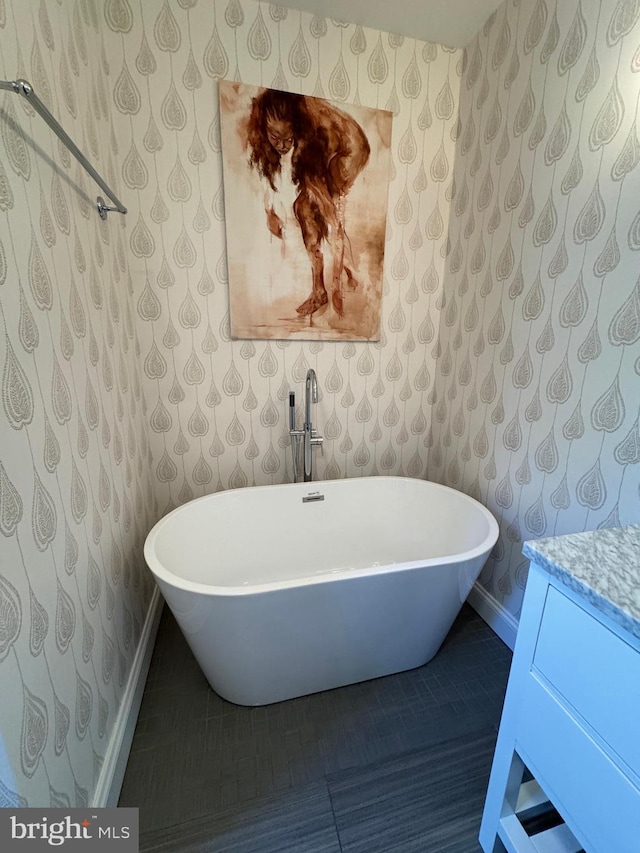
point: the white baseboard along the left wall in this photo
(115, 761)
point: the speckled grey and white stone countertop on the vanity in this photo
(601, 565)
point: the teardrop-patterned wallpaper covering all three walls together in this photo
(508, 364)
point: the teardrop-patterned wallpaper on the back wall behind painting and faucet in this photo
(217, 407)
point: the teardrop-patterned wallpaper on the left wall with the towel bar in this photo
(75, 483)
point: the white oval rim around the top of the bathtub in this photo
(326, 576)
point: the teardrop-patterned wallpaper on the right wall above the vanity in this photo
(538, 384)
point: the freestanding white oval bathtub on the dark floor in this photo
(286, 590)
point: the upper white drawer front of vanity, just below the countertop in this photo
(594, 671)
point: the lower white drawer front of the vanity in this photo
(600, 804)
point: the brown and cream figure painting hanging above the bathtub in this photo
(305, 184)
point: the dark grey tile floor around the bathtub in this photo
(320, 773)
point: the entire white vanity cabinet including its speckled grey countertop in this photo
(570, 730)
